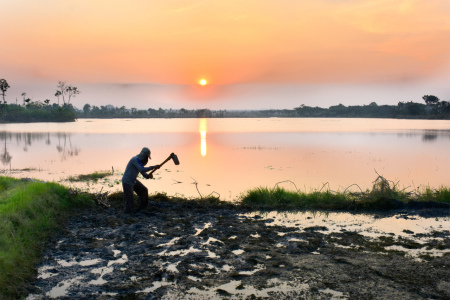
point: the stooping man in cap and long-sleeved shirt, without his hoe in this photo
(131, 184)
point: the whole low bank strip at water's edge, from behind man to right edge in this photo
(384, 195)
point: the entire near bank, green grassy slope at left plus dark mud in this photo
(208, 248)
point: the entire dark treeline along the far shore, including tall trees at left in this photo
(37, 111)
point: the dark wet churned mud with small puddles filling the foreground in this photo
(180, 251)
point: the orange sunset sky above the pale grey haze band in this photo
(174, 42)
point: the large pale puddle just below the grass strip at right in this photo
(400, 227)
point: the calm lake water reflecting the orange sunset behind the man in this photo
(229, 156)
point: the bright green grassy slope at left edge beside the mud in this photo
(29, 213)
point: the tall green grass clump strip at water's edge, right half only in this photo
(384, 195)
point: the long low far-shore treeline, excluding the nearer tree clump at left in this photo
(432, 109)
